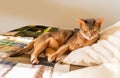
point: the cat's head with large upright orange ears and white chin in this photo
(90, 28)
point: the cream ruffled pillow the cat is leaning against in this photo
(107, 49)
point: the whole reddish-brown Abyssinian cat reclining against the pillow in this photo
(55, 44)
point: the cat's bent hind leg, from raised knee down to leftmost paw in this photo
(47, 44)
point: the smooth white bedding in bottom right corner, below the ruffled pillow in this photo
(103, 71)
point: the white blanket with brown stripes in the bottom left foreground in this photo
(20, 70)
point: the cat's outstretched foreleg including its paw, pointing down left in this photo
(58, 53)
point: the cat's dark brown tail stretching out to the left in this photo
(24, 50)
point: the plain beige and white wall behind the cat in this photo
(62, 13)
